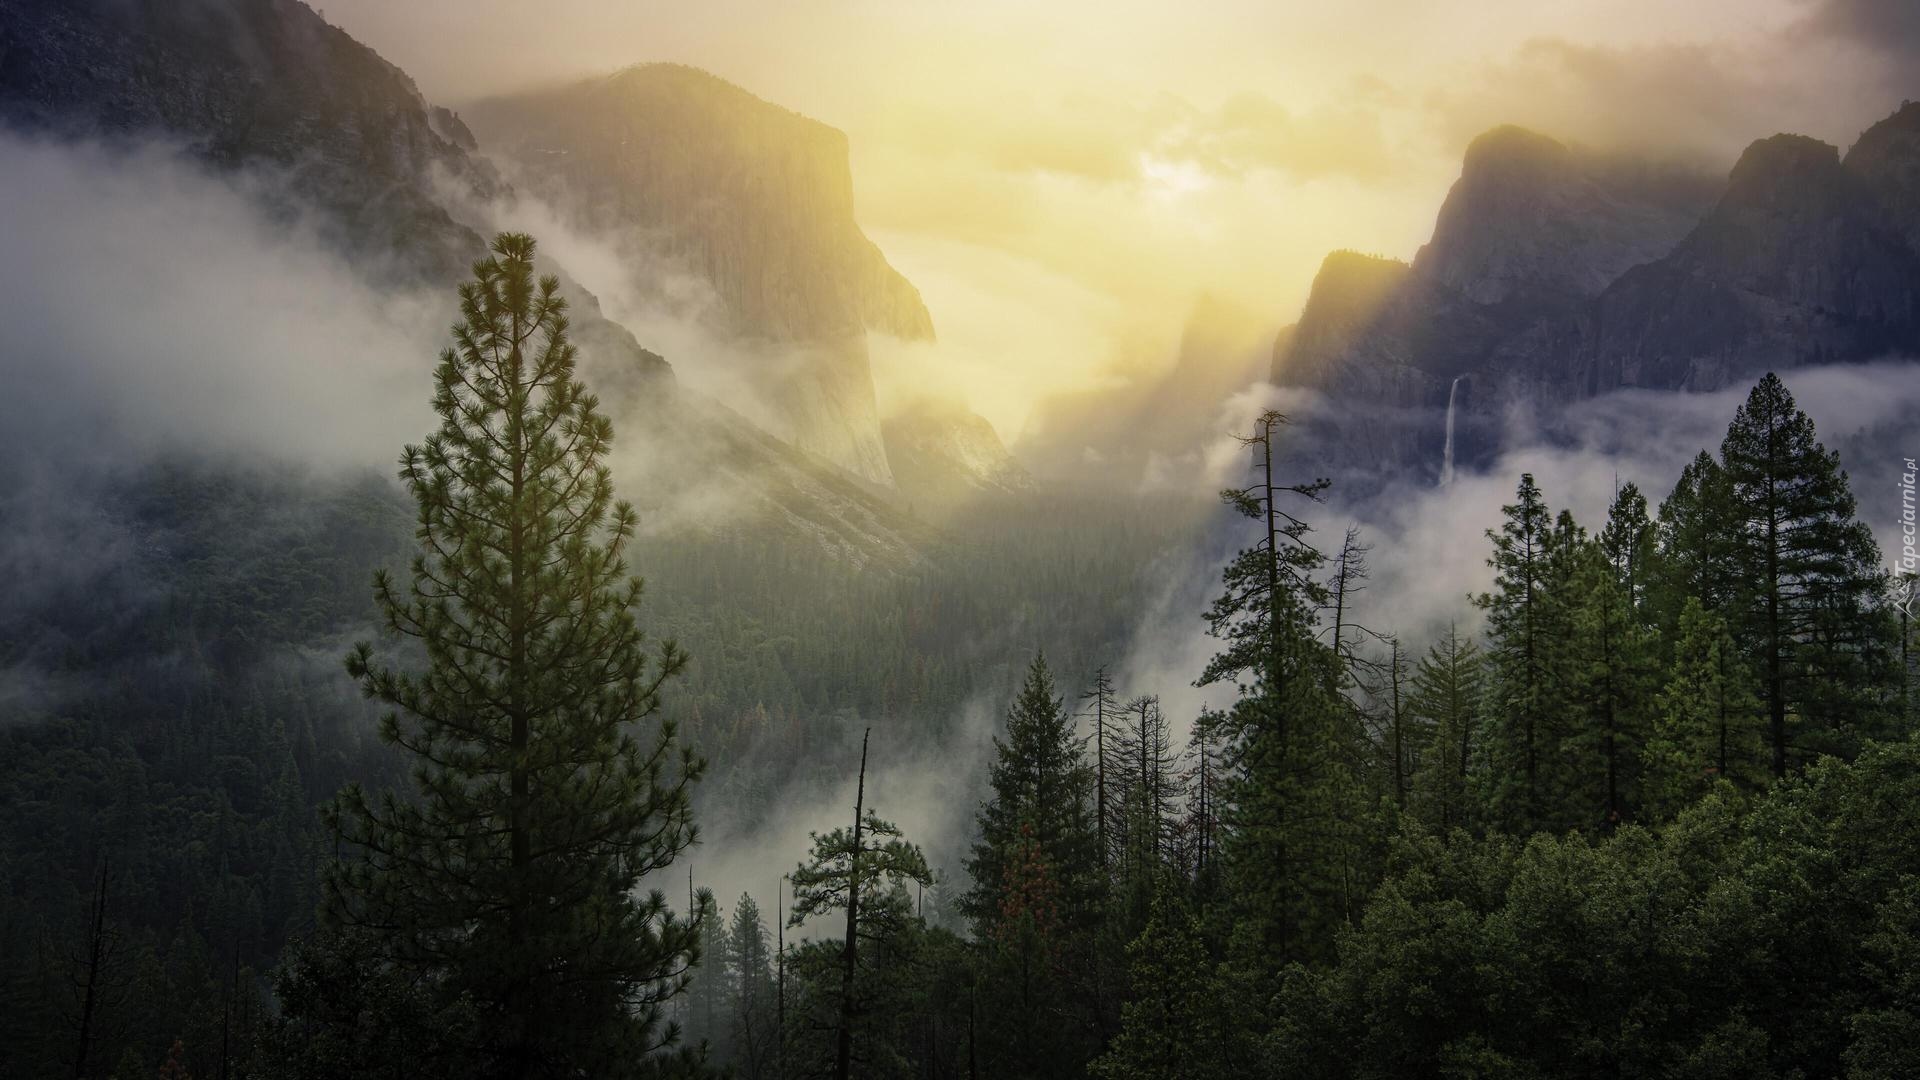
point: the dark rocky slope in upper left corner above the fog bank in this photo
(254, 84)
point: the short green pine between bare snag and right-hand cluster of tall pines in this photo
(1447, 695)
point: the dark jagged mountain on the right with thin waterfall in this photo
(1558, 274)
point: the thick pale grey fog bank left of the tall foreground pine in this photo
(155, 307)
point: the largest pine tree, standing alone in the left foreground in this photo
(546, 789)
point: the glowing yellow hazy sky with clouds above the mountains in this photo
(1078, 172)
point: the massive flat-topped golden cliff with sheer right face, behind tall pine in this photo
(696, 178)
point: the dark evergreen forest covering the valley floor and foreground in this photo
(1644, 812)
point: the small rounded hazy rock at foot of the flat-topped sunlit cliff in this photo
(946, 456)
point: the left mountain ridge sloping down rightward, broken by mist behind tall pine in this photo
(345, 143)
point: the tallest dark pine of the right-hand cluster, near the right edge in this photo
(1808, 599)
